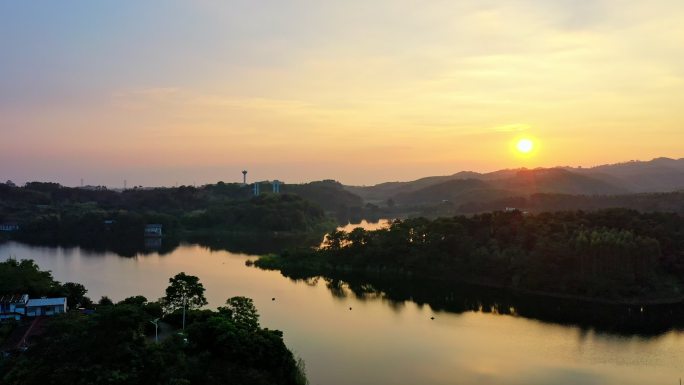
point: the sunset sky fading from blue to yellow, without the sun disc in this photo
(165, 92)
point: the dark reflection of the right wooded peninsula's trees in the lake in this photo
(458, 298)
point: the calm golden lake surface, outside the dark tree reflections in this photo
(381, 341)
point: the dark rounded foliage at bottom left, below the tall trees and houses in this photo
(110, 347)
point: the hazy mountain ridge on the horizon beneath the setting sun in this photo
(657, 175)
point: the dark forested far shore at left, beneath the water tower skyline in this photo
(51, 213)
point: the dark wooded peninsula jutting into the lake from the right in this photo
(608, 254)
